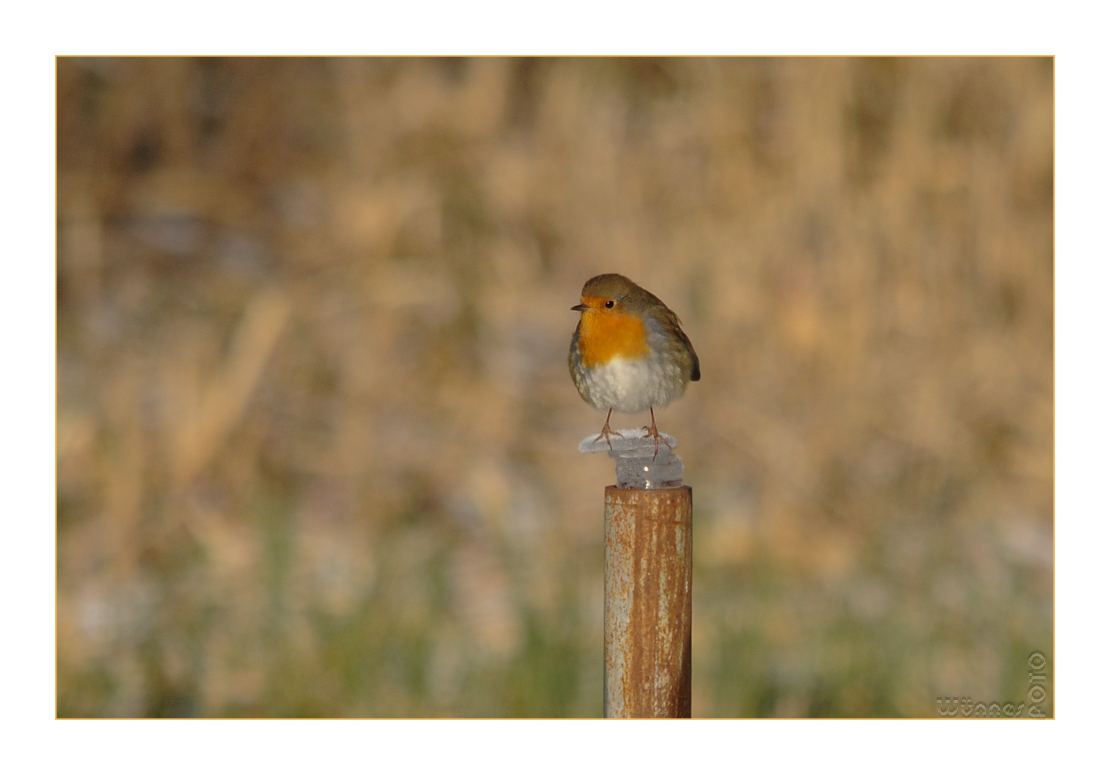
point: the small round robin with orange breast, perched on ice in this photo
(629, 353)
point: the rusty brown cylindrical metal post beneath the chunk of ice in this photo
(649, 573)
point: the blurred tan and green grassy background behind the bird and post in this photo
(317, 438)
